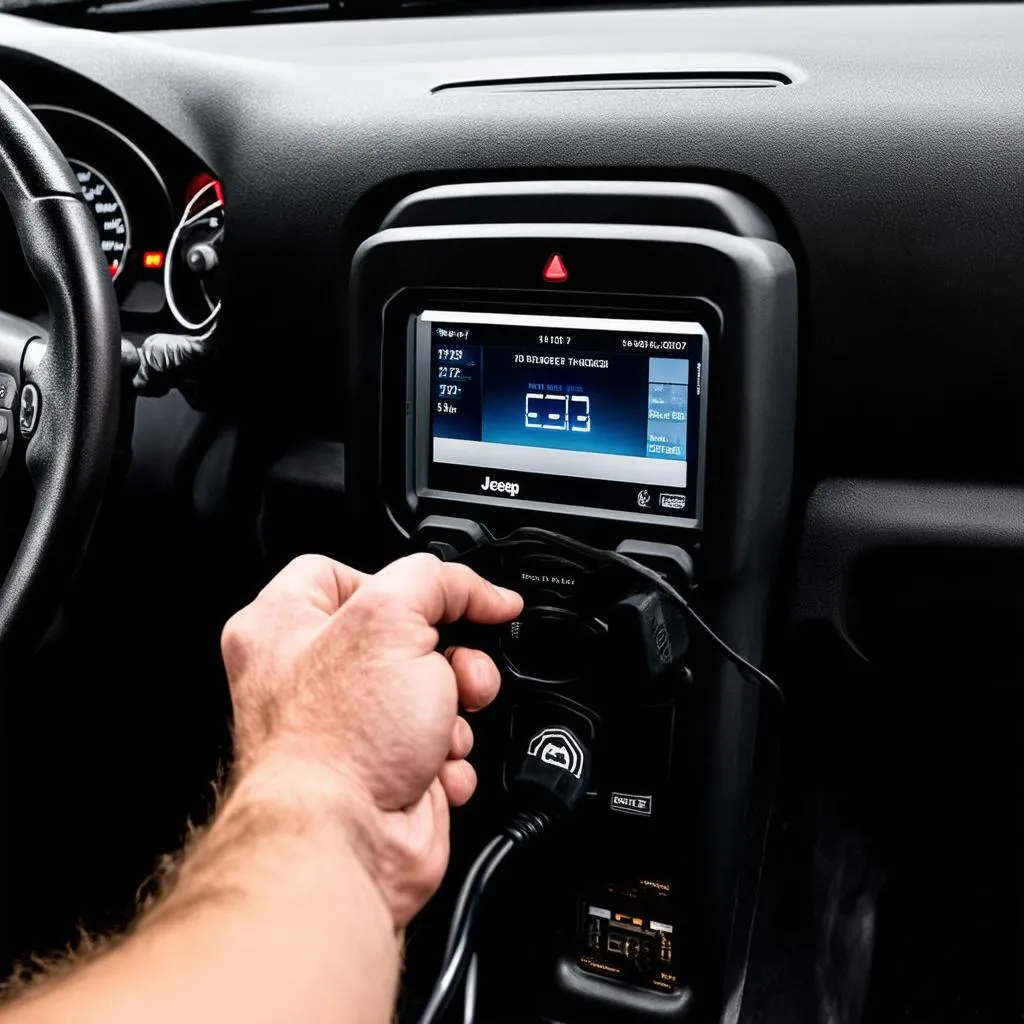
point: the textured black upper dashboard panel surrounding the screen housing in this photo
(855, 156)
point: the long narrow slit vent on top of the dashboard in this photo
(627, 81)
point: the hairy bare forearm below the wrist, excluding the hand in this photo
(274, 917)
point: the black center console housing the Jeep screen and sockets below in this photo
(613, 364)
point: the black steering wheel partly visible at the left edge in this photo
(59, 406)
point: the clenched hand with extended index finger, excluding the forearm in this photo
(339, 692)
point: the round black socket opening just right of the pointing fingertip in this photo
(551, 646)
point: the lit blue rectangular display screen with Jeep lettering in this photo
(600, 412)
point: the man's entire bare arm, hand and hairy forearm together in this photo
(350, 748)
